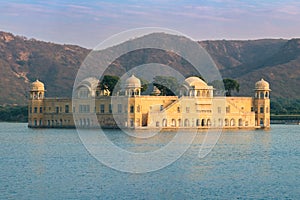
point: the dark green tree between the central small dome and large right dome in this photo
(167, 85)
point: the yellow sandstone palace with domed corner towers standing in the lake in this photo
(195, 107)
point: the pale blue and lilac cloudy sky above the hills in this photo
(88, 23)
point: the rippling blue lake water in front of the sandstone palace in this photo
(54, 164)
